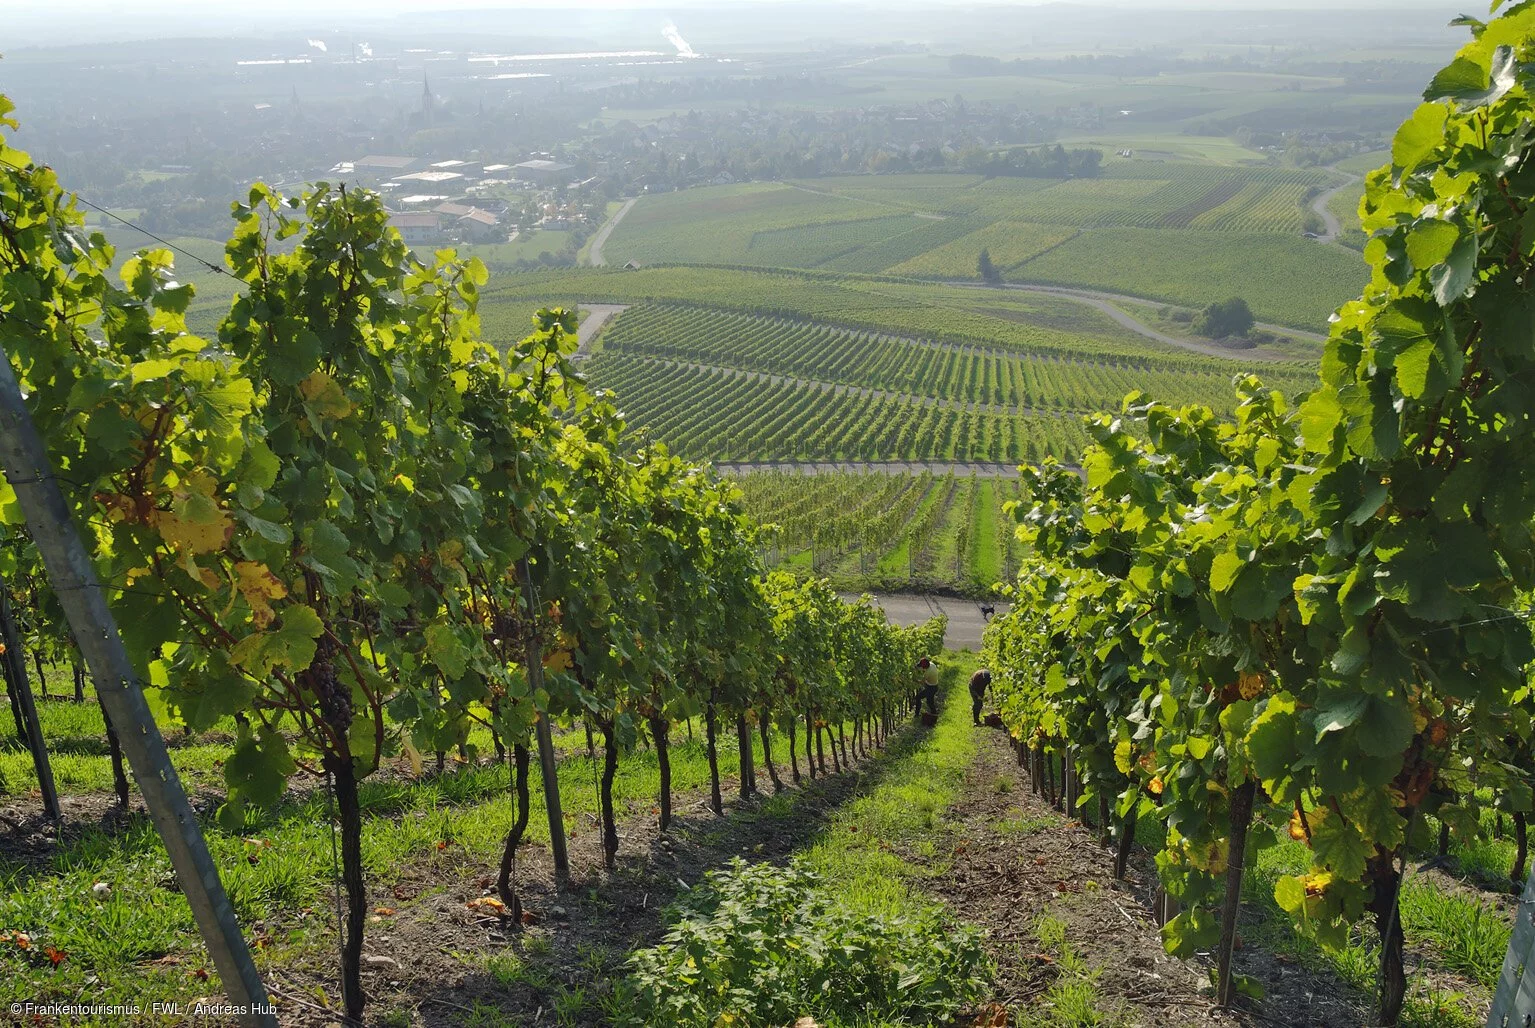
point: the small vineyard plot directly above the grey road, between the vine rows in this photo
(888, 532)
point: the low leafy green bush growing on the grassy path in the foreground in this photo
(764, 946)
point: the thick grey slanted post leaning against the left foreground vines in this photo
(27, 467)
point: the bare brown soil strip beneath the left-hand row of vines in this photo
(427, 957)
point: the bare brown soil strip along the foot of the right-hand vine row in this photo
(1015, 858)
